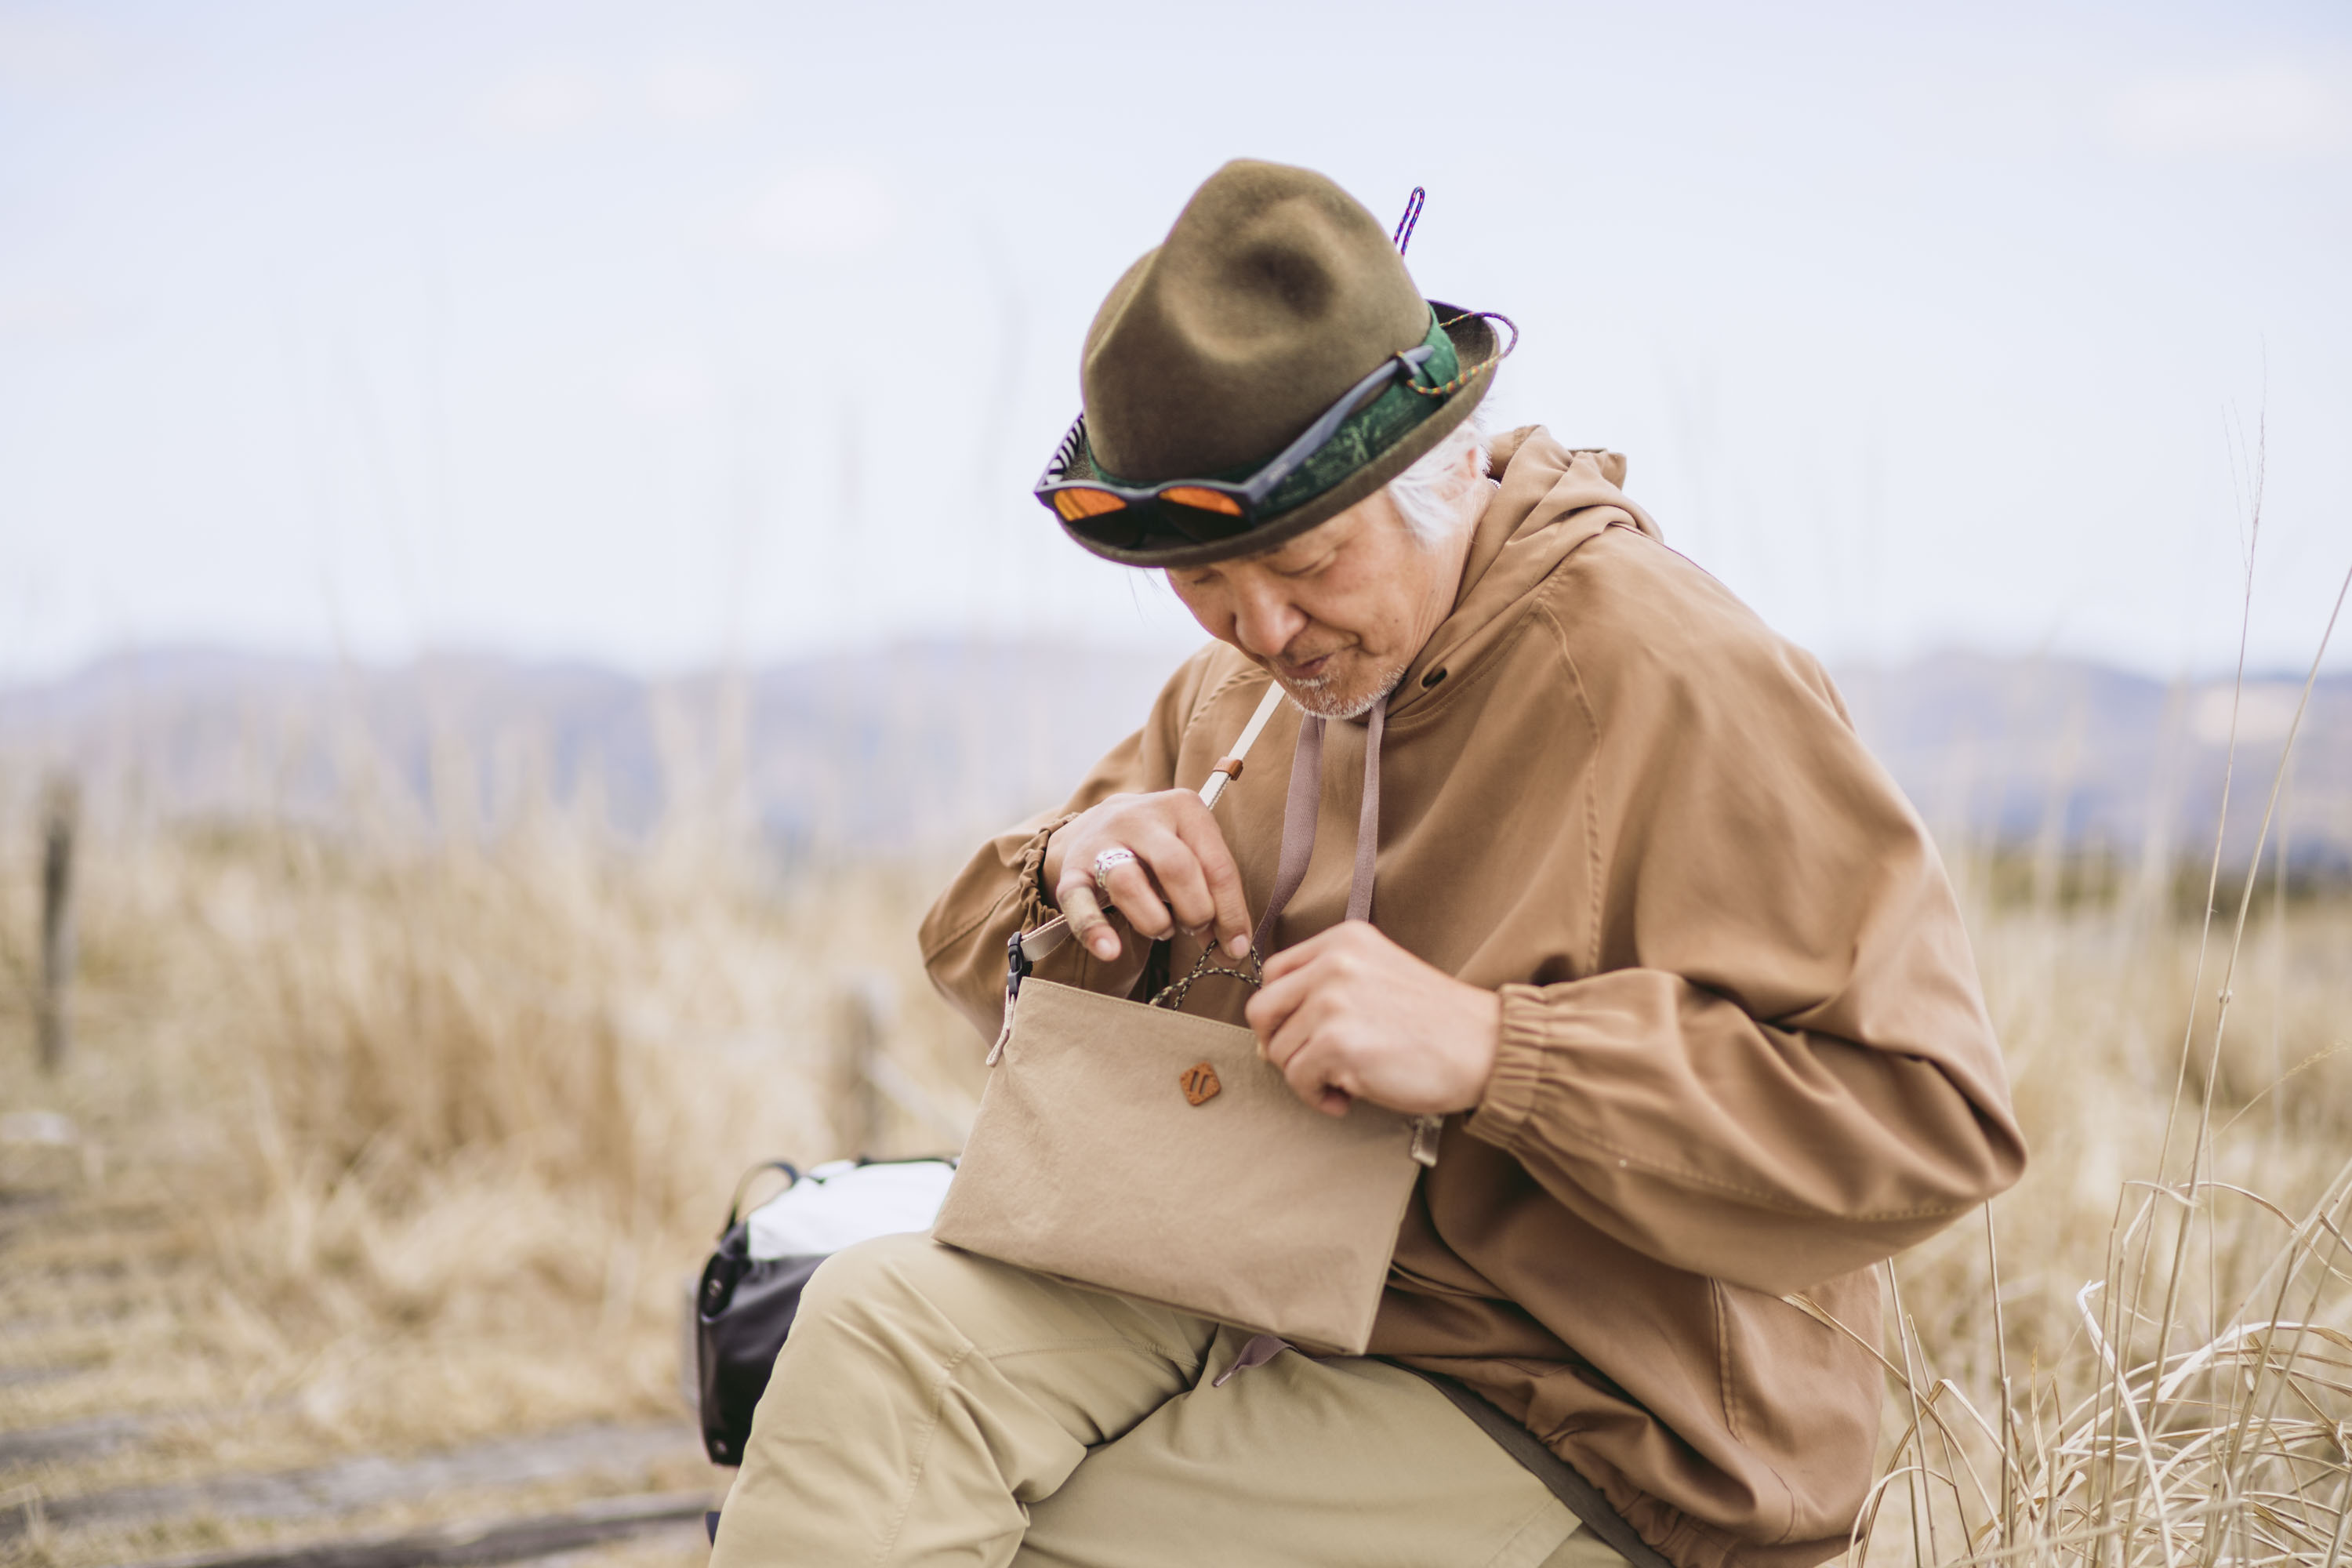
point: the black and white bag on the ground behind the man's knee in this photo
(751, 1287)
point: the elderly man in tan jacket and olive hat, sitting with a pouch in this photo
(1655, 934)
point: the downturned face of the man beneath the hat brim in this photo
(1335, 615)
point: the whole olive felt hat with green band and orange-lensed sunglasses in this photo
(1271, 300)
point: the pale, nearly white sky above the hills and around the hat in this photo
(679, 333)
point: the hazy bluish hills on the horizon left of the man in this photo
(902, 751)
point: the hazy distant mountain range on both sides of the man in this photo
(926, 746)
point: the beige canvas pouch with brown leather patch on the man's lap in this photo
(1142, 1151)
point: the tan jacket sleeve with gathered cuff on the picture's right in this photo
(1779, 1064)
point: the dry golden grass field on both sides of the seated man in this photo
(380, 1148)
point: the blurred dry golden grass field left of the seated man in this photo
(382, 1153)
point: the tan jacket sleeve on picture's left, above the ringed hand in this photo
(1001, 892)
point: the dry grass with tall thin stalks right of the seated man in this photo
(2191, 1398)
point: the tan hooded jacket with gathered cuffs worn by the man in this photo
(1744, 1050)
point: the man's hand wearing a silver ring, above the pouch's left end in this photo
(1182, 873)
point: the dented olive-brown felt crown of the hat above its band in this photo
(1274, 295)
